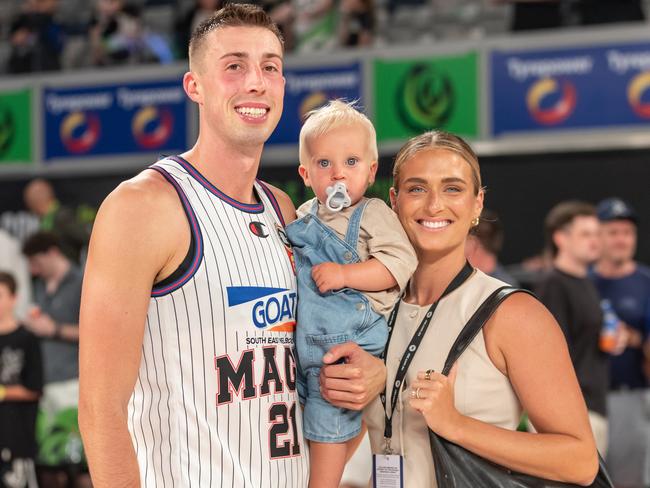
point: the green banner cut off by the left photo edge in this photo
(15, 126)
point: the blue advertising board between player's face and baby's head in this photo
(310, 88)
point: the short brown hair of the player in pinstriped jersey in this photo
(232, 15)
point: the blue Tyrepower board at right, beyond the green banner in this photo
(577, 88)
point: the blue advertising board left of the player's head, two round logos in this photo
(115, 119)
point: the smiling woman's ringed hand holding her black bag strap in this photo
(434, 399)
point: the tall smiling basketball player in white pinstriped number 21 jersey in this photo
(187, 363)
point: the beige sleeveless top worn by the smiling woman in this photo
(481, 391)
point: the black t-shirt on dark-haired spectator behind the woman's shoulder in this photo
(575, 304)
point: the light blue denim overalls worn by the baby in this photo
(327, 319)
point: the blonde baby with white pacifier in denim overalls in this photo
(352, 260)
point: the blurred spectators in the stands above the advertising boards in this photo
(45, 35)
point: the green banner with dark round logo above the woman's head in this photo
(416, 95)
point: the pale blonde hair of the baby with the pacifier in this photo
(337, 113)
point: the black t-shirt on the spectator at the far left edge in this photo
(20, 364)
